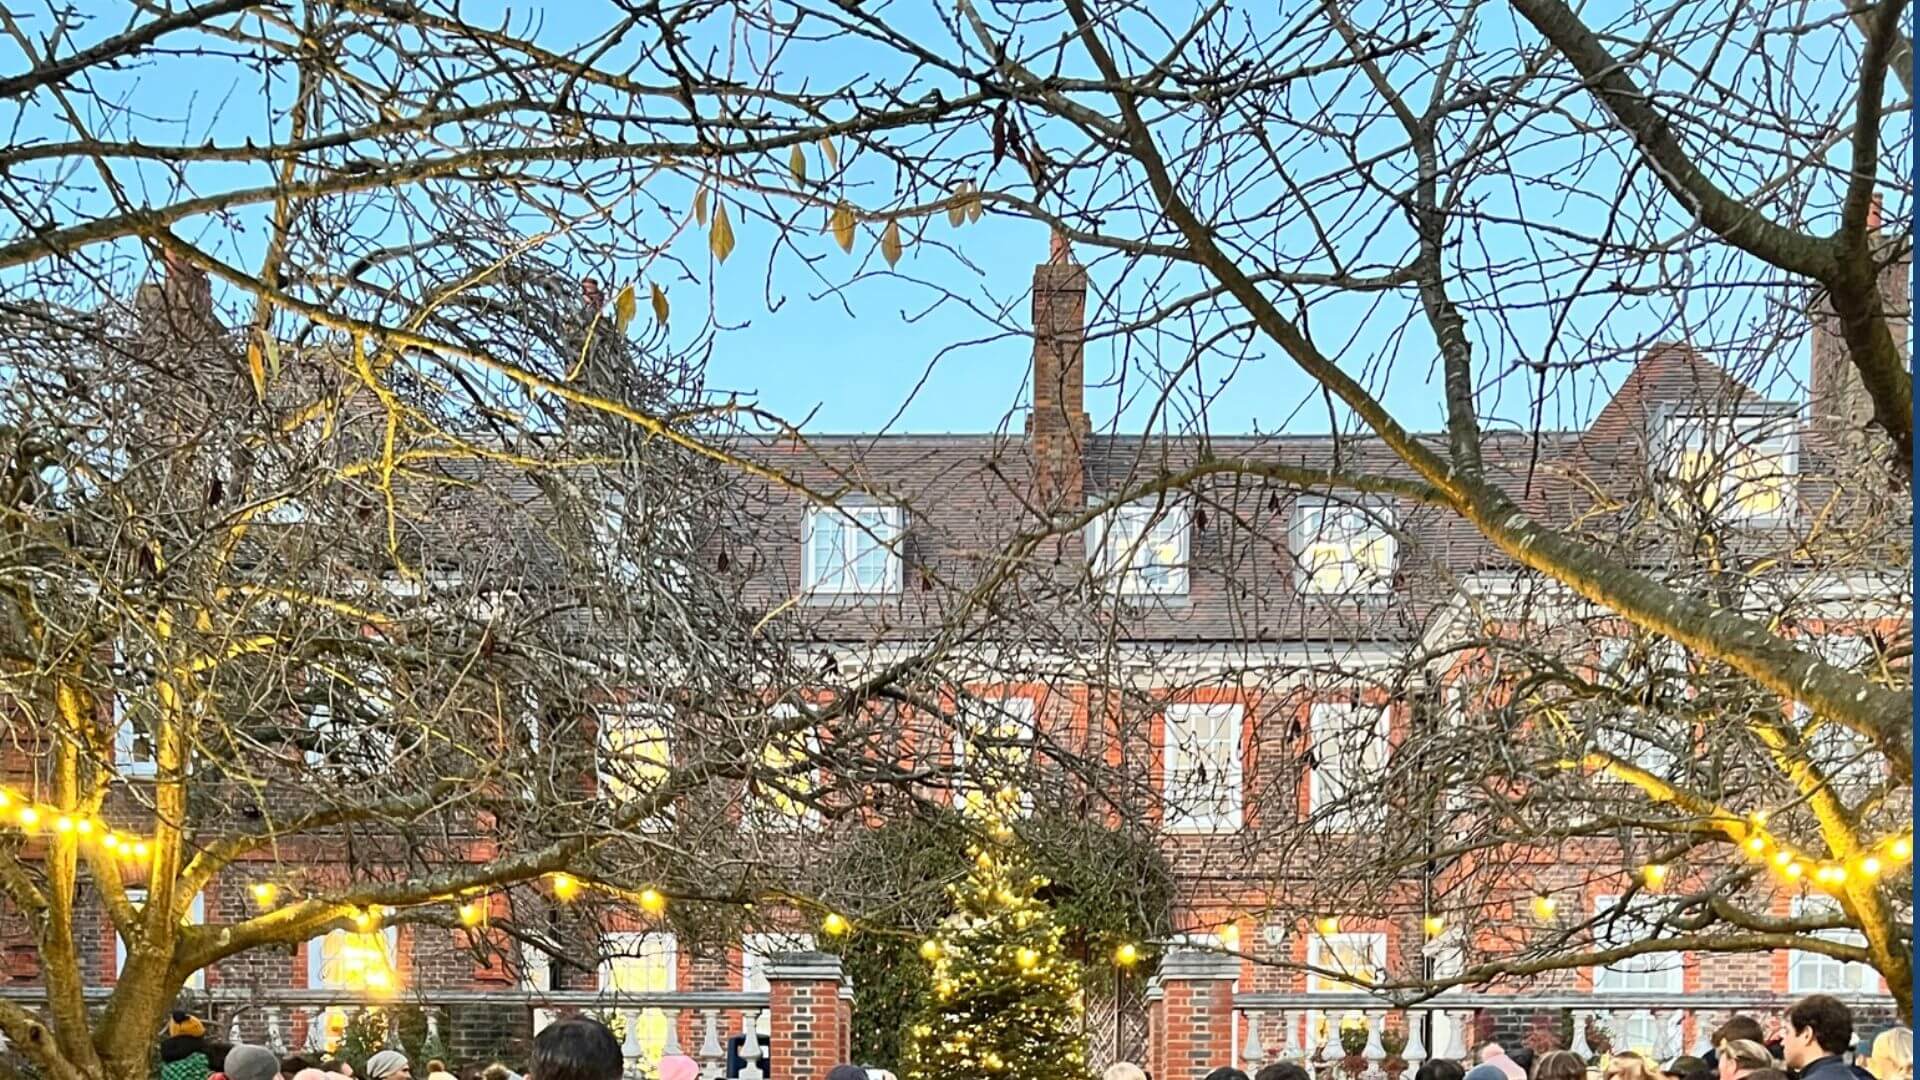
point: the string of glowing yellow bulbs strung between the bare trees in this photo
(1760, 845)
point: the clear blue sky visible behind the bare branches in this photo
(884, 351)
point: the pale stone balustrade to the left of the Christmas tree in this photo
(291, 1021)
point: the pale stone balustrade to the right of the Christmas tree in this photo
(1282, 1027)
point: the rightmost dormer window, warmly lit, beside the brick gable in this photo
(1731, 468)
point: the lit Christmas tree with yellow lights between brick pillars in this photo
(1005, 996)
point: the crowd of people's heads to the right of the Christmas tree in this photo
(1815, 1043)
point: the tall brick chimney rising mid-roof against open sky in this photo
(1059, 426)
